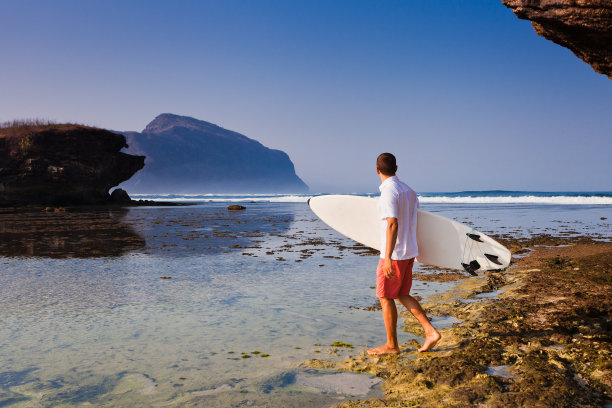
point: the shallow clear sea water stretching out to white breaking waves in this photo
(199, 306)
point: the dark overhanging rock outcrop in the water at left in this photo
(62, 164)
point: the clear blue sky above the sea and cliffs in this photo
(465, 94)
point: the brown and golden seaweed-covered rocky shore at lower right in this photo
(537, 334)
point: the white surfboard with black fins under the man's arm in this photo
(442, 242)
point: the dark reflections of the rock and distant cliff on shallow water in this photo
(167, 232)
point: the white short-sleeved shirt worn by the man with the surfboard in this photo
(397, 200)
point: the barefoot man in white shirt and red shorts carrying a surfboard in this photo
(398, 213)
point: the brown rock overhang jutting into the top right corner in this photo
(583, 26)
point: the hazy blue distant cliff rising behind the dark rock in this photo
(186, 155)
